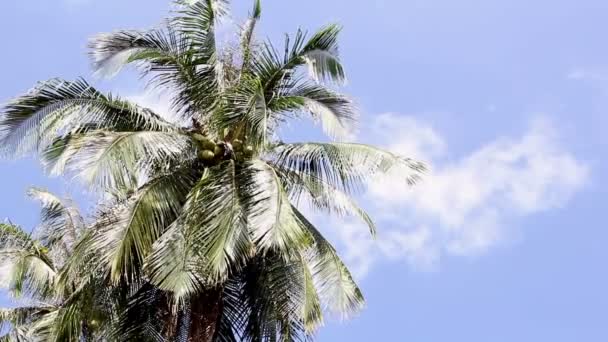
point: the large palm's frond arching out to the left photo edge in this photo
(56, 108)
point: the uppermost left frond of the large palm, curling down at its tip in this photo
(168, 57)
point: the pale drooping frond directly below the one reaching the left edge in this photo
(119, 161)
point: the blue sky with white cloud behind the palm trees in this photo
(506, 100)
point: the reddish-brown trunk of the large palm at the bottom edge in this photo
(205, 313)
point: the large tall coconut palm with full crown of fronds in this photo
(202, 212)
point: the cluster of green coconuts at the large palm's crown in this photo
(211, 152)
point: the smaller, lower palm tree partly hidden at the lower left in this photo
(55, 303)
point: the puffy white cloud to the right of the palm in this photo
(466, 206)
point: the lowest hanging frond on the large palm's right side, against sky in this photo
(337, 289)
